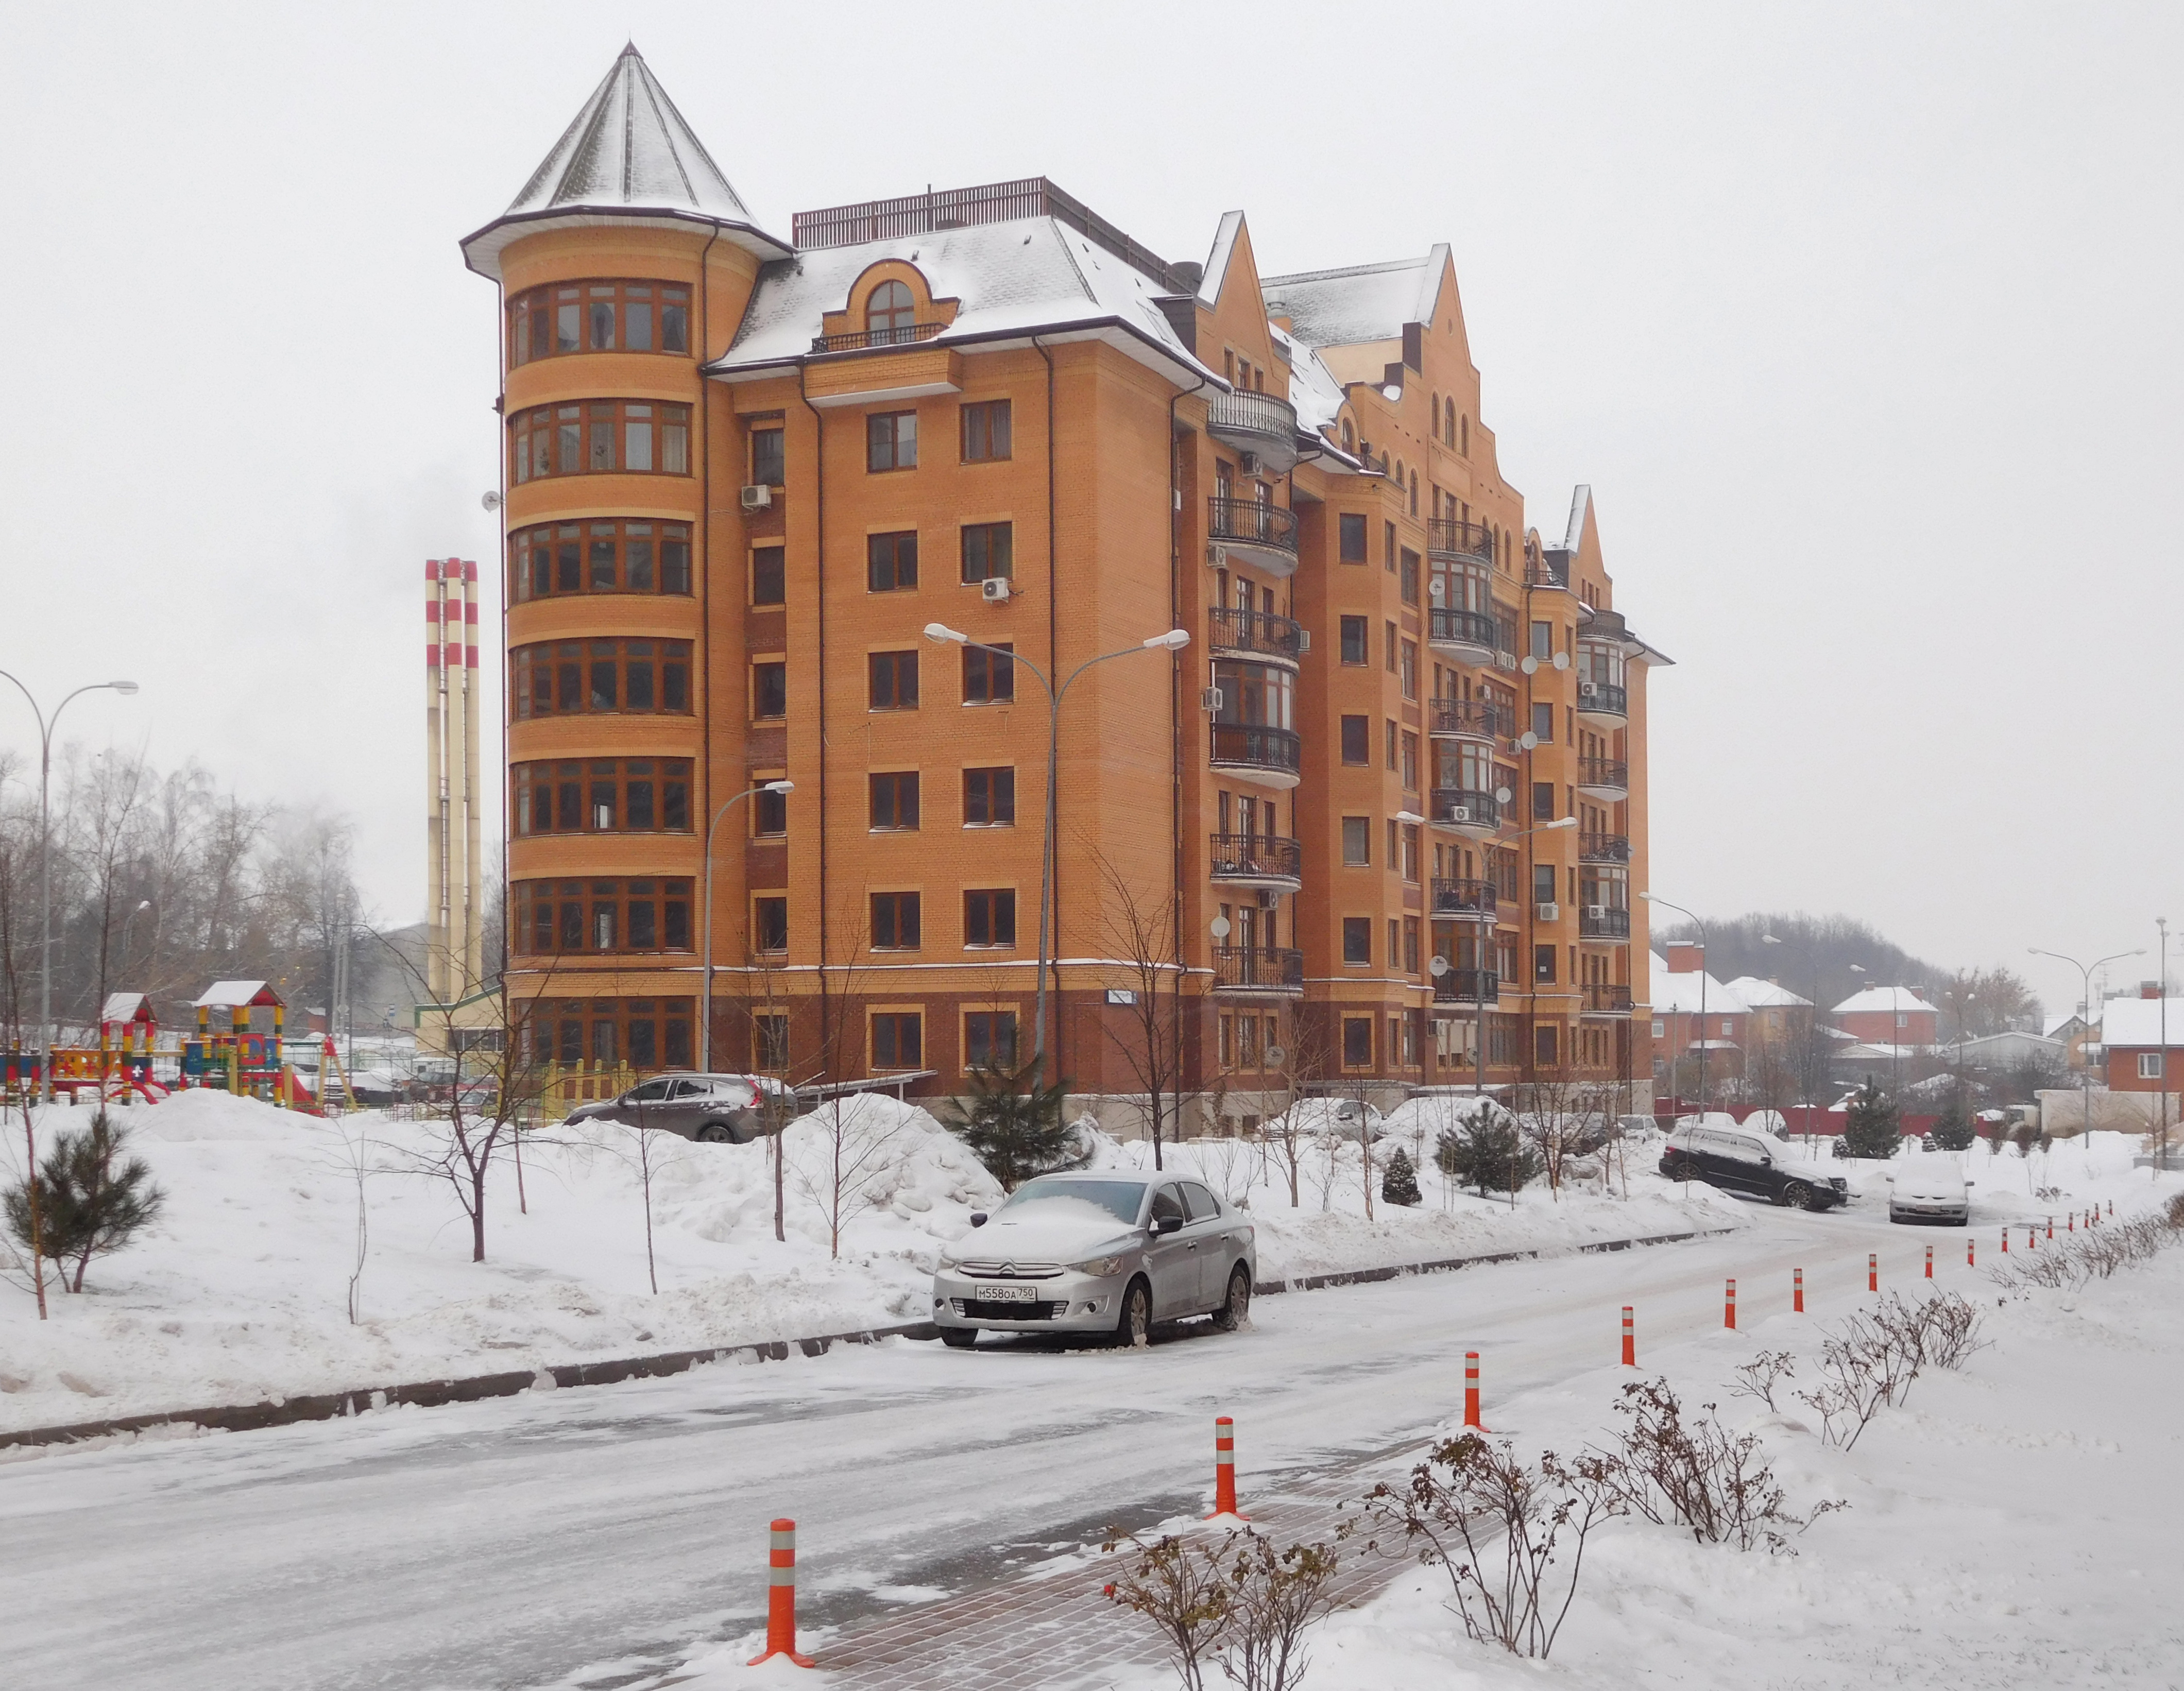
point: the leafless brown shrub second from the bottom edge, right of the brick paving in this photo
(1493, 1526)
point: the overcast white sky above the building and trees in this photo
(1862, 322)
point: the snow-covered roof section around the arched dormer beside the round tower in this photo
(1010, 281)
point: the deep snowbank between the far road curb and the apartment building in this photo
(241, 1292)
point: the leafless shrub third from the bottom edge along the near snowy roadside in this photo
(1698, 1474)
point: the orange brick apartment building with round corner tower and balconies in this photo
(744, 477)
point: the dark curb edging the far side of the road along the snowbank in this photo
(427, 1395)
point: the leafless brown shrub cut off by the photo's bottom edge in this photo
(1242, 1607)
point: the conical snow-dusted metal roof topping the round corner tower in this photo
(628, 156)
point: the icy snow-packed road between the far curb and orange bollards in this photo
(519, 1544)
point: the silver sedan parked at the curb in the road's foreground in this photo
(1106, 1253)
